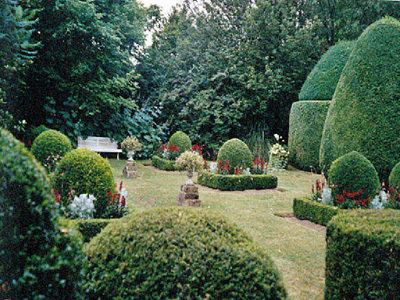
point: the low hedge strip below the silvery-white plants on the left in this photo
(88, 228)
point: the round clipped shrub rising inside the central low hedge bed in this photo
(236, 153)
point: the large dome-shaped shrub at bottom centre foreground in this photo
(179, 253)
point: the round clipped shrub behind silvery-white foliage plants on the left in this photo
(85, 172)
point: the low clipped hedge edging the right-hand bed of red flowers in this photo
(306, 209)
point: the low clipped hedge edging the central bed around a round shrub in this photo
(237, 182)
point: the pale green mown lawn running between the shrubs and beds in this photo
(298, 251)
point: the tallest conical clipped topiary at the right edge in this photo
(364, 113)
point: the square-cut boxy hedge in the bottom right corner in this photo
(362, 259)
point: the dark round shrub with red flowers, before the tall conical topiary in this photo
(353, 174)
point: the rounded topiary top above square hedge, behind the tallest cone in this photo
(321, 82)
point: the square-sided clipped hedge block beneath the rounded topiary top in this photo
(306, 122)
